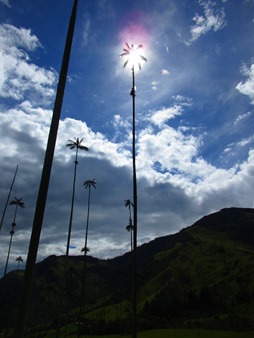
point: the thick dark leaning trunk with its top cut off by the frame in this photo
(44, 184)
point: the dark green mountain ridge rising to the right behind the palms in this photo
(202, 276)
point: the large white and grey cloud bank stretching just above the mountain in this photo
(184, 176)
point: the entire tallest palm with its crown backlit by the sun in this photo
(134, 58)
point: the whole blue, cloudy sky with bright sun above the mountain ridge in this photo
(194, 118)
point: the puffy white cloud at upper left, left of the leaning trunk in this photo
(18, 75)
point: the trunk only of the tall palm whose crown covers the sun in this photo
(134, 253)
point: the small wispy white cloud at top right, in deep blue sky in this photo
(213, 18)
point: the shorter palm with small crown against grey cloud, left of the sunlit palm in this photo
(87, 184)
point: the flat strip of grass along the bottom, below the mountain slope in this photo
(166, 334)
